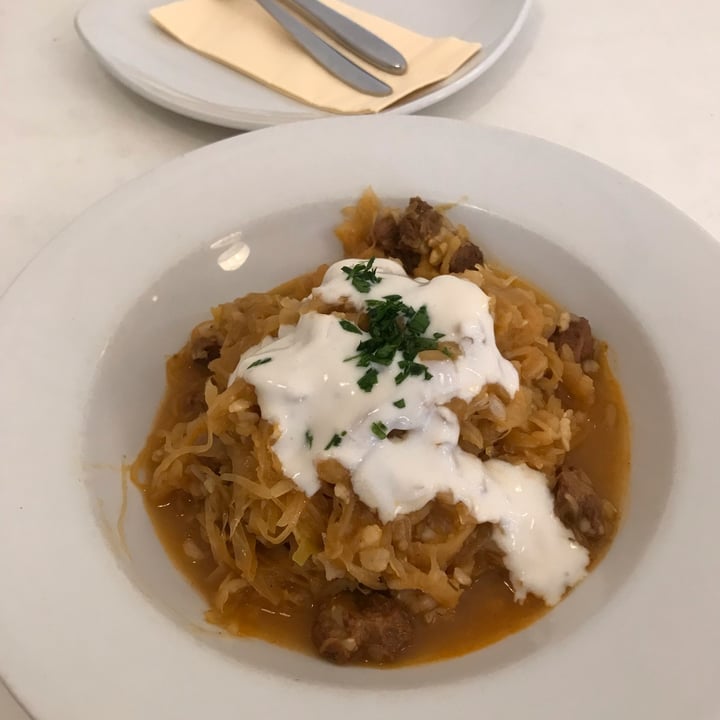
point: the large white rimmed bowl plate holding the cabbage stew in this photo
(90, 627)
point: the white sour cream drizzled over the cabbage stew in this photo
(308, 391)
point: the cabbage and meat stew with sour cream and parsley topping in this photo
(400, 457)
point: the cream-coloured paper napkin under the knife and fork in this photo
(239, 33)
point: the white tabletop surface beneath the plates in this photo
(633, 84)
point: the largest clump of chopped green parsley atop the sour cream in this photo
(394, 327)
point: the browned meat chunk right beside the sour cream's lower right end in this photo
(578, 505)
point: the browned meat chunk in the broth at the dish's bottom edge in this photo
(352, 626)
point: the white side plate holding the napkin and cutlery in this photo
(165, 72)
